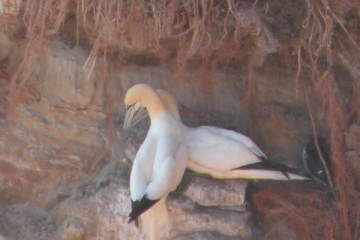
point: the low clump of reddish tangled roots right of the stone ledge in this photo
(307, 214)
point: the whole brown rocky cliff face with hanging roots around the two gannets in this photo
(280, 72)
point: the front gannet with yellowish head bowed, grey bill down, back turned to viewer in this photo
(162, 158)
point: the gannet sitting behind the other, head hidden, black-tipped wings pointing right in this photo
(227, 154)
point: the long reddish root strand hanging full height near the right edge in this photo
(318, 62)
